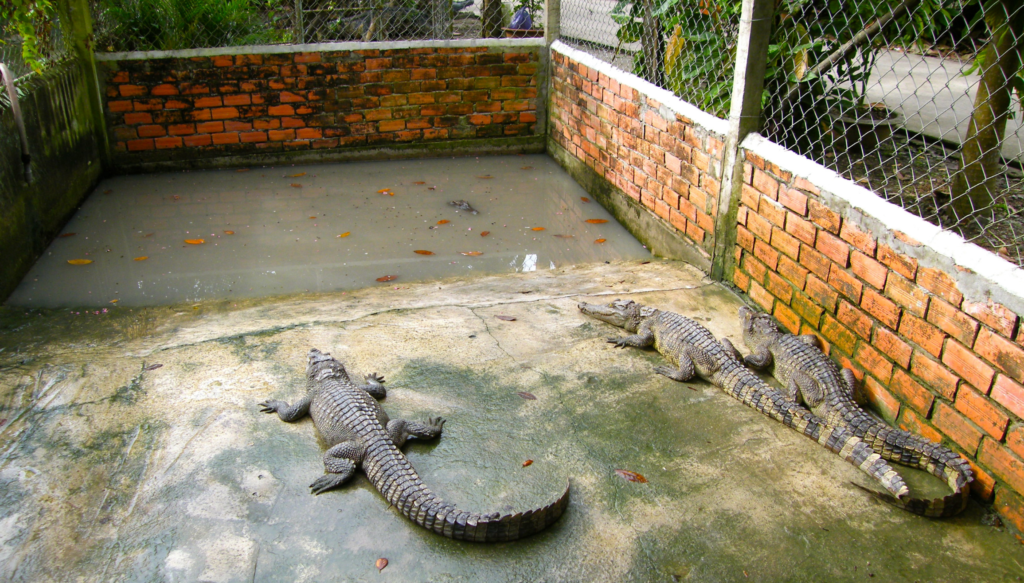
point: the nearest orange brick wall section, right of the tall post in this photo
(933, 355)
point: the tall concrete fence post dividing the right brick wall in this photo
(745, 117)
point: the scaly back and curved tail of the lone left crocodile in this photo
(339, 404)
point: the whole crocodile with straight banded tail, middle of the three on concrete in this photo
(695, 351)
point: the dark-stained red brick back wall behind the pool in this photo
(181, 108)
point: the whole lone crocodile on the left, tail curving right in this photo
(359, 433)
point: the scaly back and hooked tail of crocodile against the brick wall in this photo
(838, 408)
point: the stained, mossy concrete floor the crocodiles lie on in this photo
(114, 471)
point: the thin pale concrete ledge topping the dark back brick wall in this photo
(316, 48)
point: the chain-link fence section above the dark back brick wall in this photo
(169, 25)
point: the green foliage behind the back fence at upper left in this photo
(167, 25)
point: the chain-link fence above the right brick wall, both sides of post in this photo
(919, 101)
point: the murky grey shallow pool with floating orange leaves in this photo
(271, 231)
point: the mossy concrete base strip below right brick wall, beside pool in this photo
(657, 235)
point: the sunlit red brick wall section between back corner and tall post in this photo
(668, 164)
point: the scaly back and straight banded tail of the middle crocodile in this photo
(673, 331)
